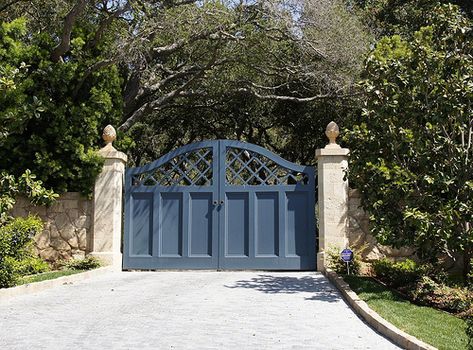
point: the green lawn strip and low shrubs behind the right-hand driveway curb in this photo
(417, 298)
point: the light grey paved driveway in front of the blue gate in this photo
(187, 310)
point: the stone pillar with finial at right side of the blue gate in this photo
(332, 161)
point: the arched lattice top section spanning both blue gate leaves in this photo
(242, 163)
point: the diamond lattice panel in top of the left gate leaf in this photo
(189, 169)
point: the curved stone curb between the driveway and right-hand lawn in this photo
(390, 331)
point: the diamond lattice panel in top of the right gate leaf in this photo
(245, 167)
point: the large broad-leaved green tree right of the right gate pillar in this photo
(413, 149)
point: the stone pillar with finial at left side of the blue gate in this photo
(108, 191)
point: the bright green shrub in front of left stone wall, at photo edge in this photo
(16, 240)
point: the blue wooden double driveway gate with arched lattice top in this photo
(220, 205)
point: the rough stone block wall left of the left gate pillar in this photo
(67, 226)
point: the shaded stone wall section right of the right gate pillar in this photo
(359, 236)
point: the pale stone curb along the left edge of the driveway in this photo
(43, 285)
